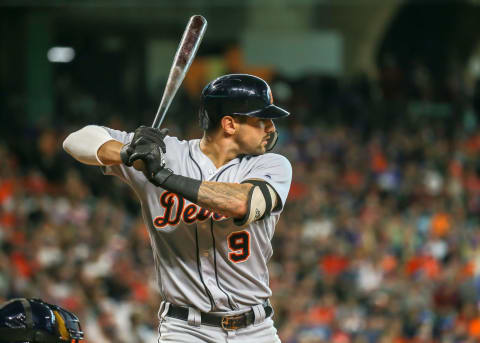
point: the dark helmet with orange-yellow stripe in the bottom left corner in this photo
(34, 321)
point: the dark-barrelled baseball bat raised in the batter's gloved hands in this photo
(191, 39)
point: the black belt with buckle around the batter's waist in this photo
(232, 322)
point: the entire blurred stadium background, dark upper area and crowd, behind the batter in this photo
(379, 241)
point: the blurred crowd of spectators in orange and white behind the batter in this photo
(379, 240)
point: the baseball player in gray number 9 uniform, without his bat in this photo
(210, 205)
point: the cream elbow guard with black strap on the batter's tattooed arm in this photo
(260, 203)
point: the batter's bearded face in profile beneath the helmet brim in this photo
(253, 135)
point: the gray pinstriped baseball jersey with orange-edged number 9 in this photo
(203, 259)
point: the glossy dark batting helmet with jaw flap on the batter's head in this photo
(237, 94)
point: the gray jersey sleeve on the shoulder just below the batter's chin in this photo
(275, 170)
